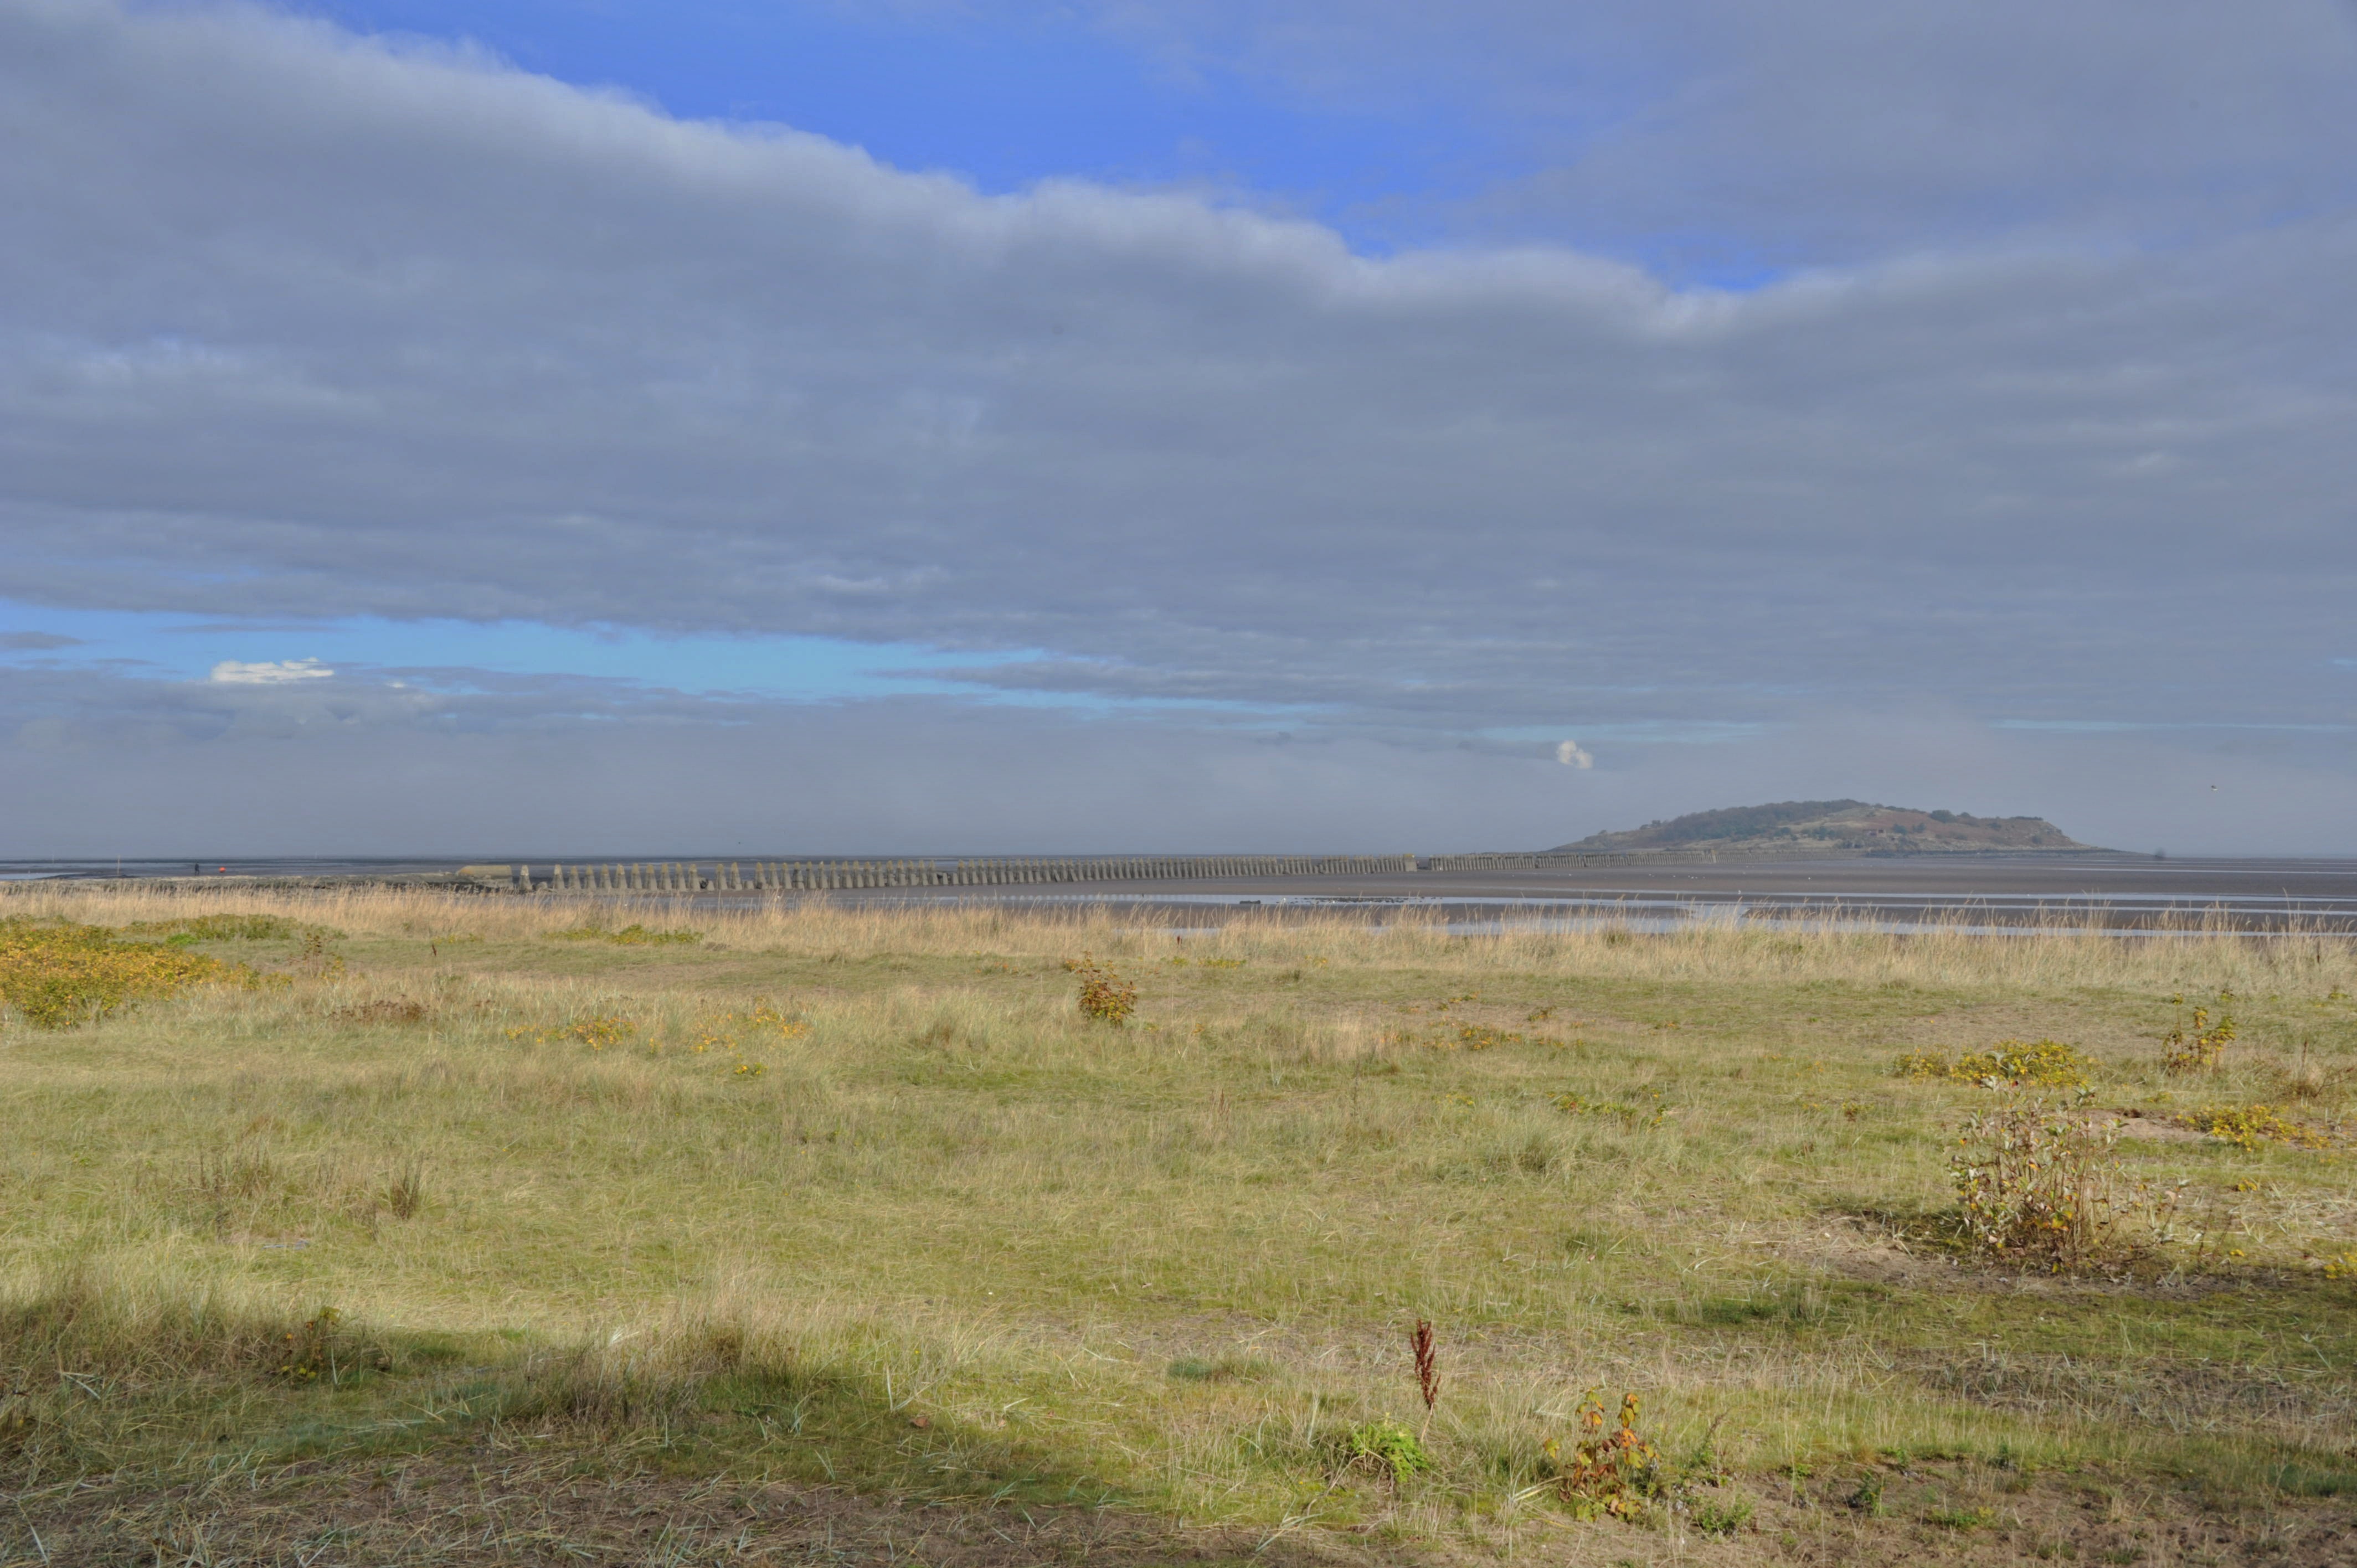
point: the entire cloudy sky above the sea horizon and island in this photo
(1170, 426)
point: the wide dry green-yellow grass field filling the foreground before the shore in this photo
(496, 1232)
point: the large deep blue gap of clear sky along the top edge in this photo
(1001, 103)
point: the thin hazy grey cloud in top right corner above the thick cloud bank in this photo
(1830, 131)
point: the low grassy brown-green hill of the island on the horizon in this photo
(1835, 824)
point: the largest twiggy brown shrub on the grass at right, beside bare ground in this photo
(2040, 1185)
